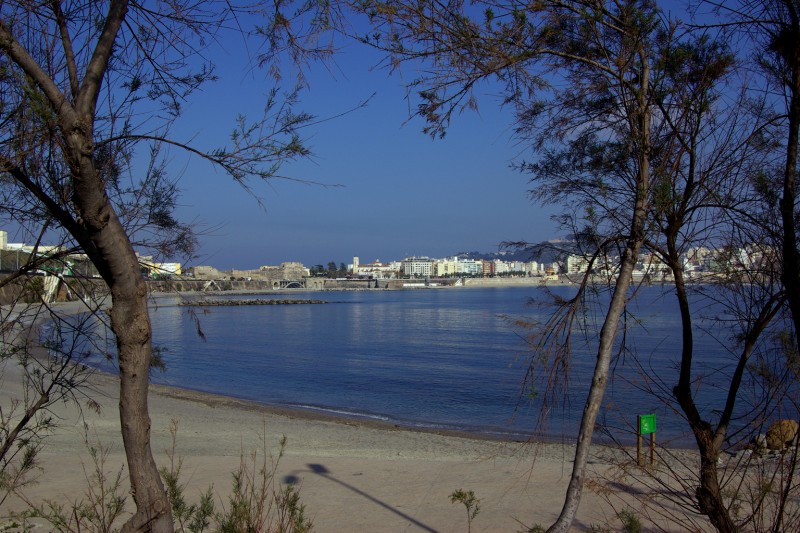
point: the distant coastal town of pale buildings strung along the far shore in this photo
(563, 266)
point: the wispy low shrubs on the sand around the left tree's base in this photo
(258, 503)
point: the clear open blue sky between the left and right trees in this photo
(393, 192)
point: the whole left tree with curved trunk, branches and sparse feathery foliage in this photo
(83, 86)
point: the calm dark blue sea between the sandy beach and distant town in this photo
(447, 358)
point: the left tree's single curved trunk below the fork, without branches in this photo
(106, 242)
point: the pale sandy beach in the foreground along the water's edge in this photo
(352, 475)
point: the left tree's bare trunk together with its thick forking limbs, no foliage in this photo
(95, 226)
